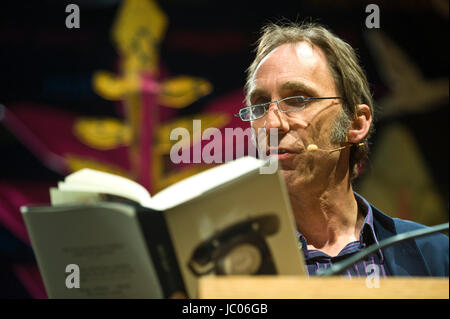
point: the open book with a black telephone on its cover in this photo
(124, 243)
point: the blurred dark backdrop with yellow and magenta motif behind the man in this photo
(84, 97)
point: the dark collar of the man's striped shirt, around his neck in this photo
(367, 235)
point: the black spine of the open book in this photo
(159, 244)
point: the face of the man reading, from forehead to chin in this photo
(293, 70)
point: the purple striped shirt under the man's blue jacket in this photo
(316, 259)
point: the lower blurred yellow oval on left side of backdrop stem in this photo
(102, 134)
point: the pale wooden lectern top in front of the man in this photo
(296, 287)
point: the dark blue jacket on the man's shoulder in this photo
(425, 256)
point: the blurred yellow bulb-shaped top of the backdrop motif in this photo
(138, 30)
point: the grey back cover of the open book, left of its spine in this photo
(106, 243)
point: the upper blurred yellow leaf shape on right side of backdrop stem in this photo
(180, 91)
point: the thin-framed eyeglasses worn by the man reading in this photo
(286, 105)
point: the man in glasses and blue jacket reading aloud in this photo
(307, 84)
